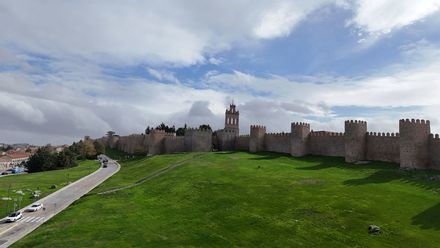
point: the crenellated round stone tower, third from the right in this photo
(299, 139)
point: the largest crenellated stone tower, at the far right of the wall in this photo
(414, 143)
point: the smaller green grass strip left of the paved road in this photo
(27, 183)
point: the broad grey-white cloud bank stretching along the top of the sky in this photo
(176, 33)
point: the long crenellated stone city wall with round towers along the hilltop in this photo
(413, 147)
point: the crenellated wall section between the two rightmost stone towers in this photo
(383, 147)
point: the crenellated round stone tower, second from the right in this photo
(355, 140)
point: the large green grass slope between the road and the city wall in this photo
(252, 200)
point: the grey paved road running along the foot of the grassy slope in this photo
(54, 203)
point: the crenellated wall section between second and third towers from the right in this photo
(327, 144)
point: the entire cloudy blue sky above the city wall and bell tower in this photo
(69, 69)
